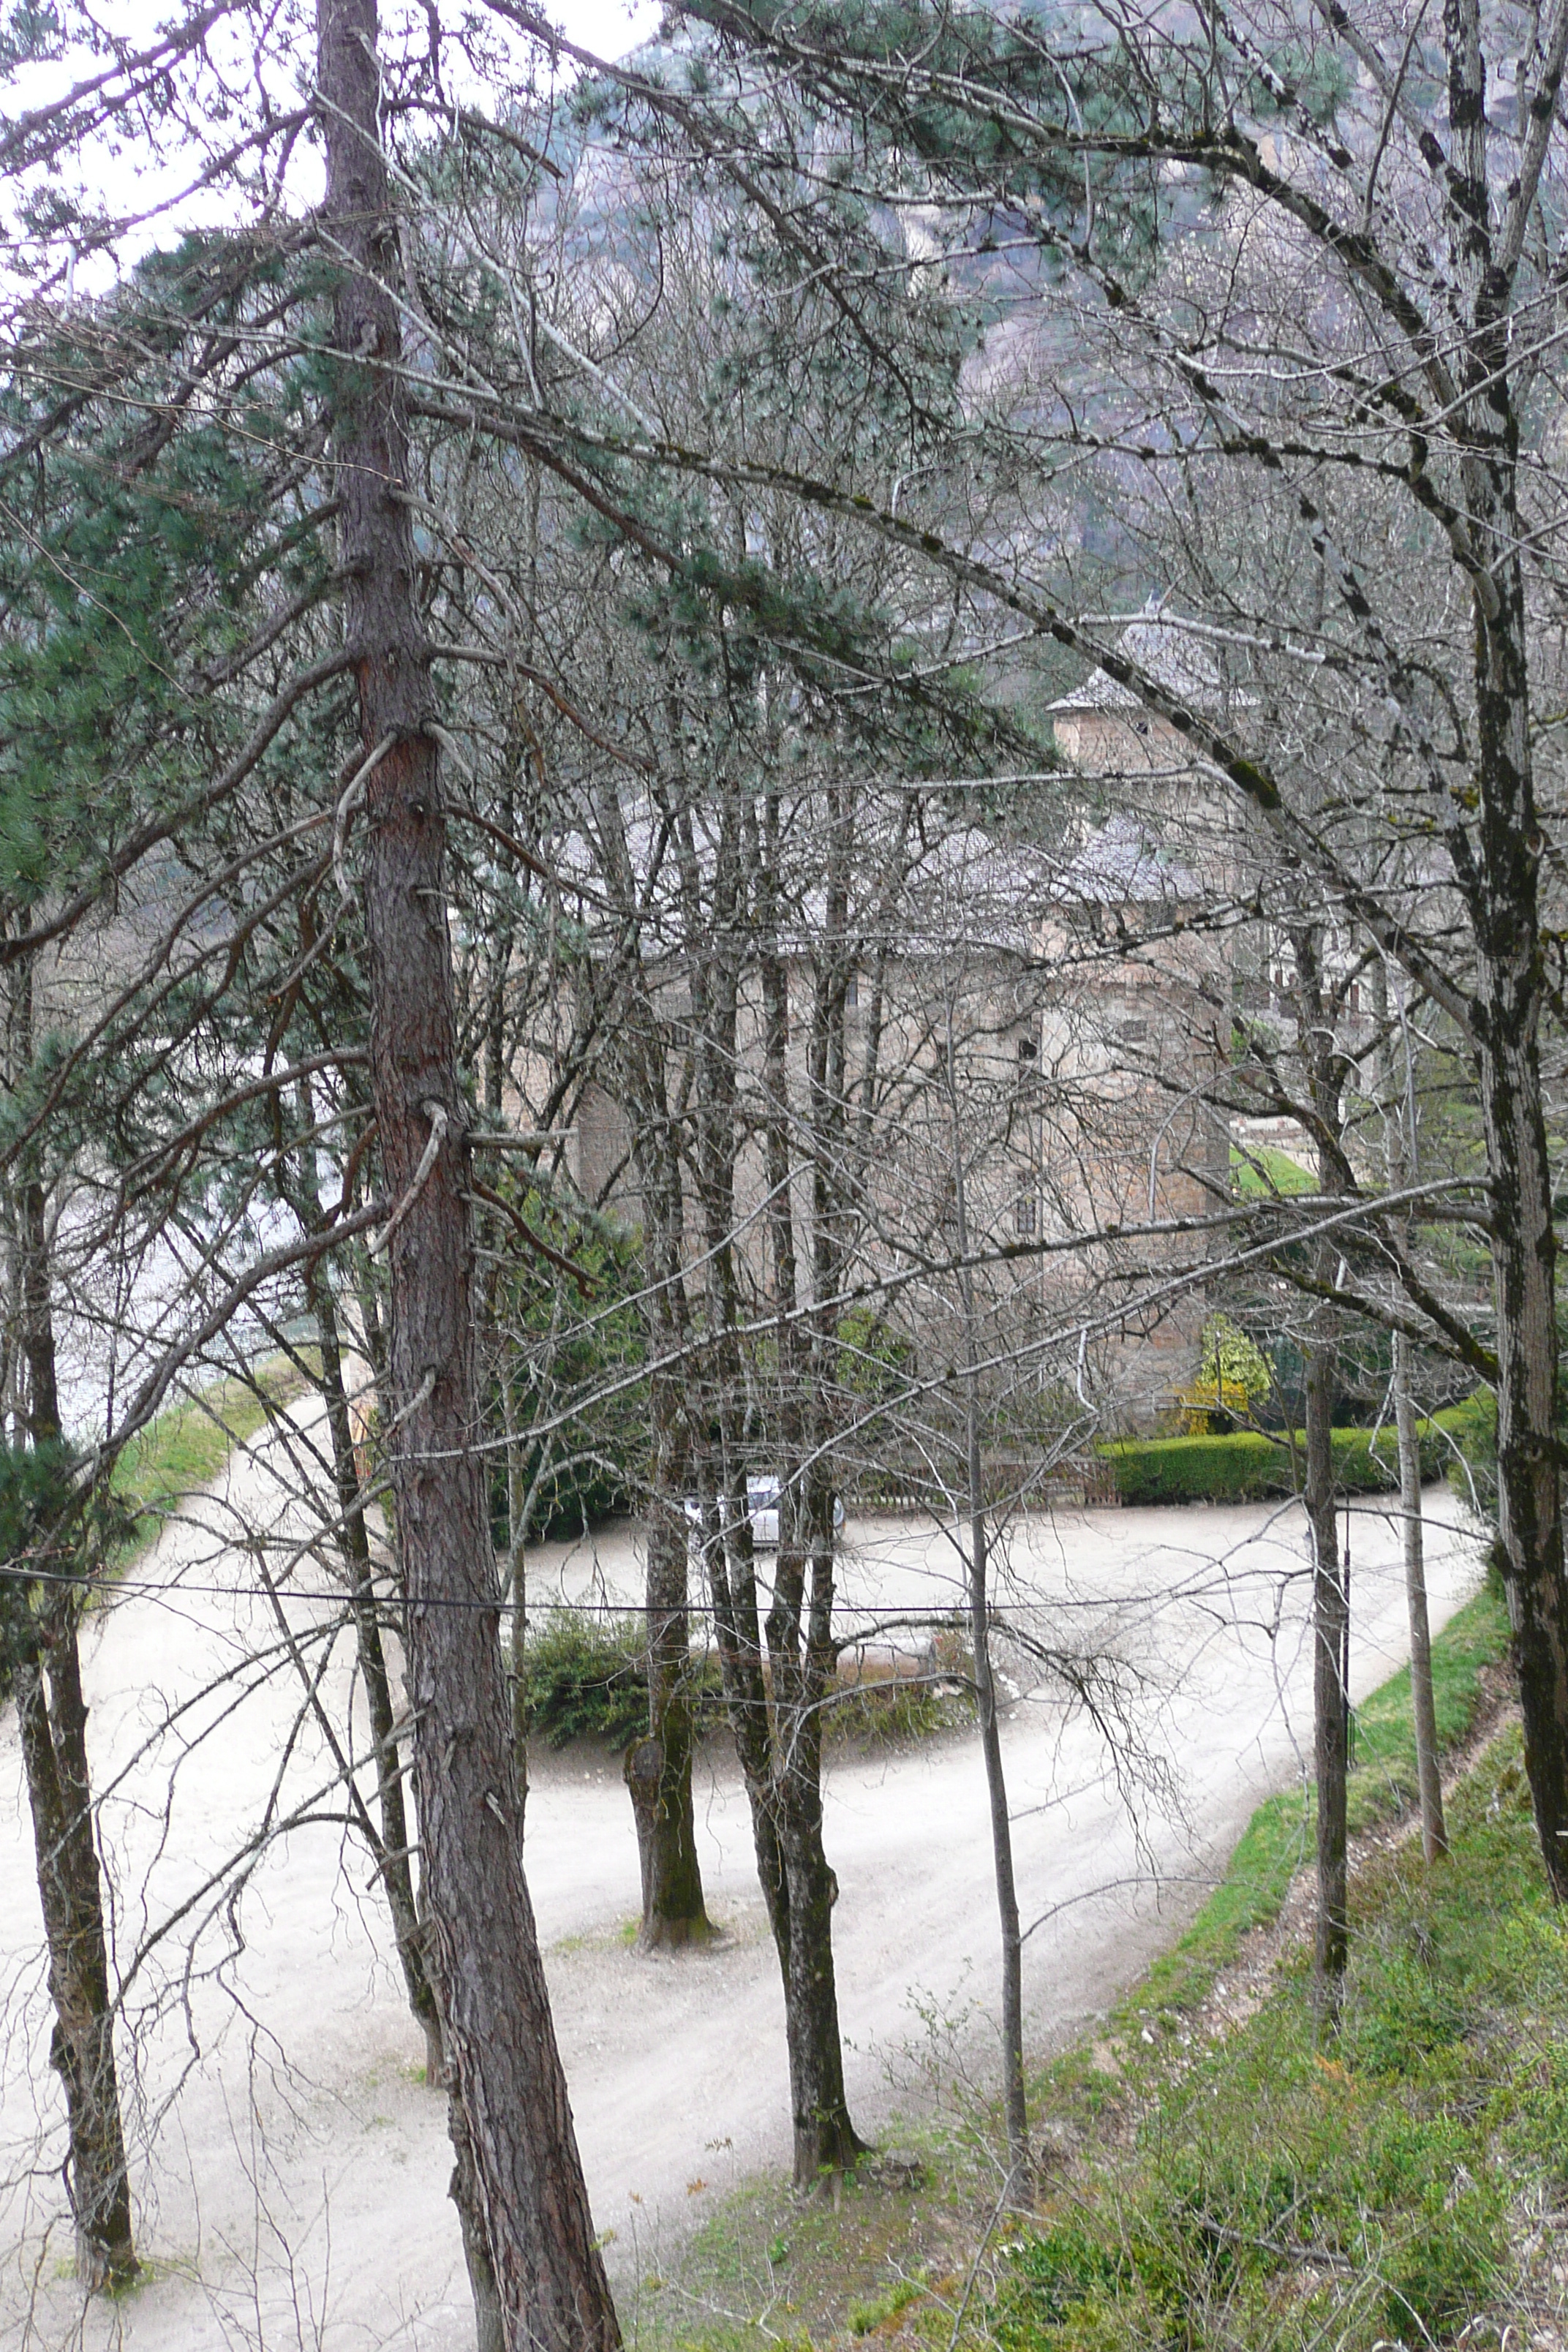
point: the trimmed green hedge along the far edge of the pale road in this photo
(1252, 1466)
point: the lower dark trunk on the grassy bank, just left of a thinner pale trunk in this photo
(1329, 1695)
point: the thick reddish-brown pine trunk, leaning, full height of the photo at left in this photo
(507, 2071)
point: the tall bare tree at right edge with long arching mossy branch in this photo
(1426, 239)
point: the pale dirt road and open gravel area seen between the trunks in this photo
(288, 2160)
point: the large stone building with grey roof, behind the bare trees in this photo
(1033, 1027)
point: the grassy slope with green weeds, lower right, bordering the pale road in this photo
(1224, 2181)
